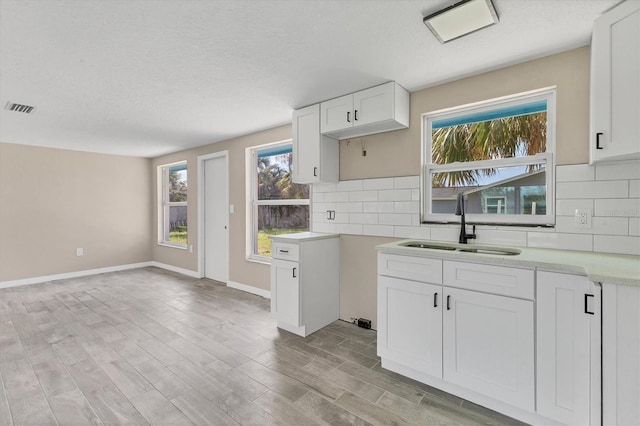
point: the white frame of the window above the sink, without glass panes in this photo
(547, 158)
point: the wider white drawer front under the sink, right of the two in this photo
(500, 280)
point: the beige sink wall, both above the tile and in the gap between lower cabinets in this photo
(398, 153)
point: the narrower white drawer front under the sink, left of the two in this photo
(409, 267)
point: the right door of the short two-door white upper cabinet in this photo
(373, 105)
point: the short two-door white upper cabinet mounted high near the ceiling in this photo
(375, 110)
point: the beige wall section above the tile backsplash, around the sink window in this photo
(398, 153)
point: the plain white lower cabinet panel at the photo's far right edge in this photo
(620, 354)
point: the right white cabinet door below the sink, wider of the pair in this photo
(489, 345)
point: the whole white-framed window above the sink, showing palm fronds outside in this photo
(499, 154)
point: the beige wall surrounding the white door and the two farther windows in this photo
(240, 270)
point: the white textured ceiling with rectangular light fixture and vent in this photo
(150, 77)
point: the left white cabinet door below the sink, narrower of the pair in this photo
(410, 324)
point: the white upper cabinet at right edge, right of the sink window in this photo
(615, 84)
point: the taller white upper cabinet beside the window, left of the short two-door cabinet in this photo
(315, 157)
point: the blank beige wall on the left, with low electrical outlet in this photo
(54, 201)
